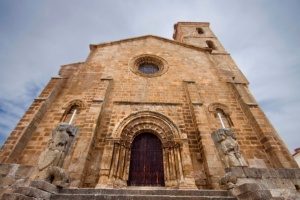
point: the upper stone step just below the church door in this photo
(148, 191)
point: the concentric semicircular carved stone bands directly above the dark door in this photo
(146, 121)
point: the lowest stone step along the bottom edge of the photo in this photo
(135, 197)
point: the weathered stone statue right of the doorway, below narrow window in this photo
(228, 147)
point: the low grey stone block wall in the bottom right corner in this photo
(259, 183)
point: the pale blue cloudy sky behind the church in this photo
(262, 36)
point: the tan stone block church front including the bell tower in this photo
(197, 83)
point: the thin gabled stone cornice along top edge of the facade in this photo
(95, 46)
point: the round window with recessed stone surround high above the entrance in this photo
(148, 65)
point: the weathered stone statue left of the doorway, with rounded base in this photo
(49, 165)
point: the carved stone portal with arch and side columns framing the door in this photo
(176, 155)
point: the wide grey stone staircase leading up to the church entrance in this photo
(141, 193)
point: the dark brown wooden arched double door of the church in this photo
(146, 161)
